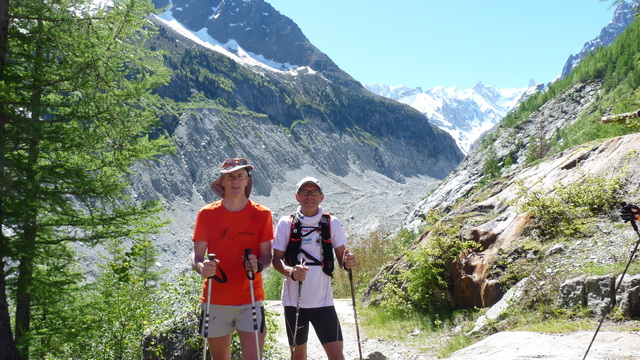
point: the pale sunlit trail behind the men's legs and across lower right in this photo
(501, 346)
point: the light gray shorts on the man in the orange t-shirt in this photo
(223, 319)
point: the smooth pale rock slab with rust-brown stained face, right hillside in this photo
(470, 284)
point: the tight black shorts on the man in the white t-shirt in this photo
(324, 321)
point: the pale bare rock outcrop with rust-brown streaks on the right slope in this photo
(471, 286)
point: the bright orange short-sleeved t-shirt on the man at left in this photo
(227, 235)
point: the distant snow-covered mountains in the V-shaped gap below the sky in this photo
(464, 114)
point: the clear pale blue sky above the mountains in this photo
(448, 43)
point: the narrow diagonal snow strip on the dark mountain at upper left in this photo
(231, 49)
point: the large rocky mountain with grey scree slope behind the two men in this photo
(310, 120)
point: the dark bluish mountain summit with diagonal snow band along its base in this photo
(251, 32)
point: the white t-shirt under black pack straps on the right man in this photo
(316, 288)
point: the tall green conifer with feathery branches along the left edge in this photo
(75, 83)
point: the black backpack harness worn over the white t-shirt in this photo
(295, 240)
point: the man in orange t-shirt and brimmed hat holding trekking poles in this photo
(226, 228)
